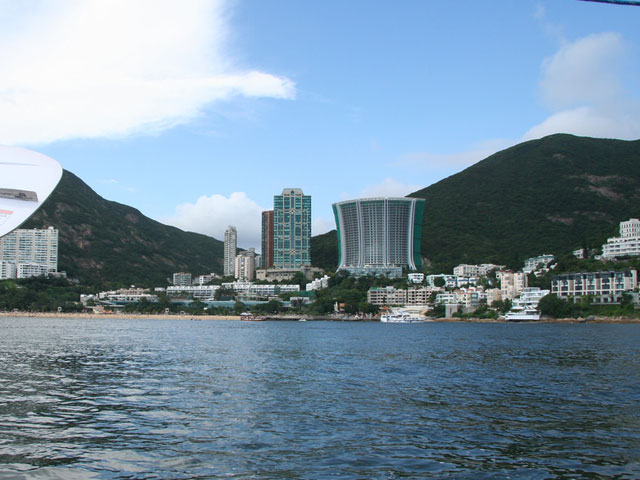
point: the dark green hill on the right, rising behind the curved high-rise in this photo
(551, 195)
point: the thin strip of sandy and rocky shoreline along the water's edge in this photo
(151, 316)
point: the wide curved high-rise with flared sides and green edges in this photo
(379, 235)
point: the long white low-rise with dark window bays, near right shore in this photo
(603, 286)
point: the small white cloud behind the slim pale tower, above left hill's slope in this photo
(211, 215)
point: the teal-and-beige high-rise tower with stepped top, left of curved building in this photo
(291, 229)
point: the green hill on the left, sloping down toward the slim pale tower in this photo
(102, 241)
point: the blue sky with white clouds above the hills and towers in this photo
(197, 113)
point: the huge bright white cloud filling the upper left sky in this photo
(93, 68)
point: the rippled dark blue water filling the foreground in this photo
(272, 400)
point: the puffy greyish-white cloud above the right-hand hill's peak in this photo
(583, 84)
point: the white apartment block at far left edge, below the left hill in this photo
(35, 249)
